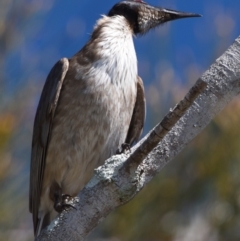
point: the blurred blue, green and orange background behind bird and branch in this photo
(197, 196)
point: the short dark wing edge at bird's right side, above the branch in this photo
(138, 117)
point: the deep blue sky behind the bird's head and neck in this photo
(60, 28)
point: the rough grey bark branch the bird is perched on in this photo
(122, 177)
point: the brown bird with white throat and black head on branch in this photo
(90, 105)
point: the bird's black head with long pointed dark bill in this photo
(142, 17)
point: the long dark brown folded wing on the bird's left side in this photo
(42, 131)
